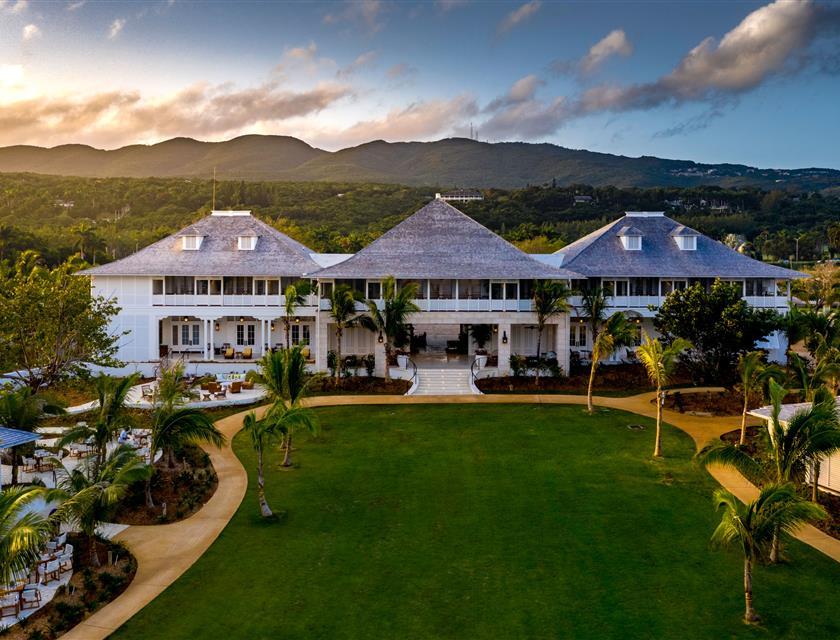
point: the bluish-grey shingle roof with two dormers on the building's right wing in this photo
(601, 254)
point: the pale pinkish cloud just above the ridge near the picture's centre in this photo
(417, 121)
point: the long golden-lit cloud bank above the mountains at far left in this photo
(118, 117)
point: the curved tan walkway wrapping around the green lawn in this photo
(164, 552)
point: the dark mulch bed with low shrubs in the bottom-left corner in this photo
(90, 589)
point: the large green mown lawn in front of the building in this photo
(485, 522)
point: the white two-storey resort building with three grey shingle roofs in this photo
(212, 293)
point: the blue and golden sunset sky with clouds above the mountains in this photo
(713, 81)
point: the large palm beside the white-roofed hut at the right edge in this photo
(808, 435)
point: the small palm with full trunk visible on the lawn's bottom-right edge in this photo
(754, 526)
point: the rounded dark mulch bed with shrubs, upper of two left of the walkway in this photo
(177, 492)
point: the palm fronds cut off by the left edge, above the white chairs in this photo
(22, 532)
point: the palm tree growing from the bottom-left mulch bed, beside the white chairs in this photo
(90, 492)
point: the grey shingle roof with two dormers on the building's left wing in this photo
(275, 253)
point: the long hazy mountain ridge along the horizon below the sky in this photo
(450, 162)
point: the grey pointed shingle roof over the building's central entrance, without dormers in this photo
(439, 241)
